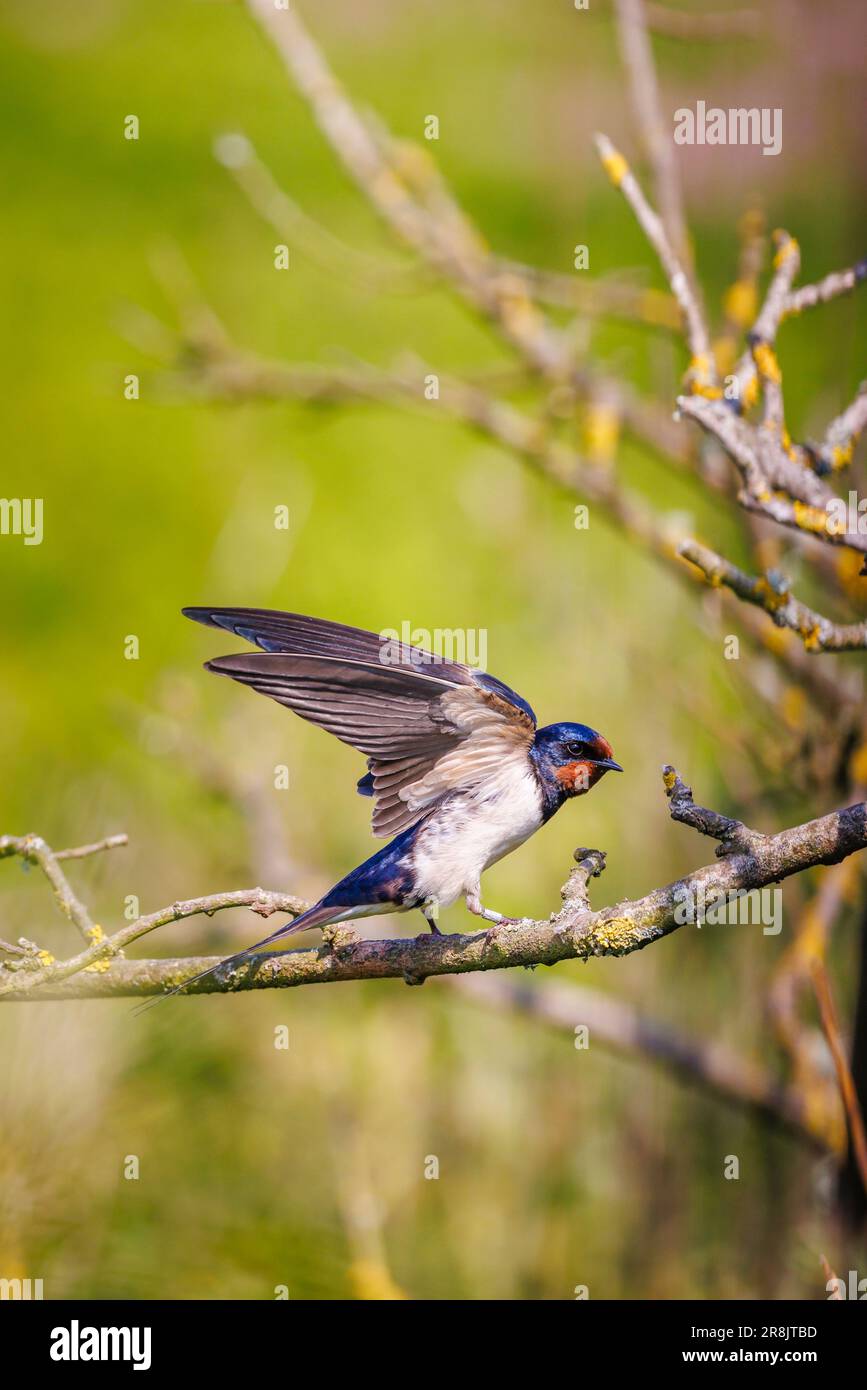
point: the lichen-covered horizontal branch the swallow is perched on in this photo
(576, 932)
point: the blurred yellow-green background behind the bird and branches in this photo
(305, 1167)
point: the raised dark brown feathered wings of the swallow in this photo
(427, 726)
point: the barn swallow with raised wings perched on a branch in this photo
(458, 769)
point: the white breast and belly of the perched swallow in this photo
(474, 829)
